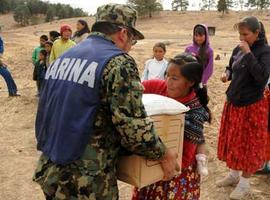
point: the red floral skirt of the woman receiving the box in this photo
(186, 186)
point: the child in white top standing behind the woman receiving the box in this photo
(156, 67)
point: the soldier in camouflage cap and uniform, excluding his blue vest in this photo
(120, 121)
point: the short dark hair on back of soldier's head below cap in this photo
(105, 27)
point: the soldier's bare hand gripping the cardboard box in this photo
(169, 164)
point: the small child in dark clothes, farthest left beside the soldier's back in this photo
(40, 69)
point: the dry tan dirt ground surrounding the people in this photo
(18, 155)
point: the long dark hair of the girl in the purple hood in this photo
(202, 57)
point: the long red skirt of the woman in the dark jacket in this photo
(243, 136)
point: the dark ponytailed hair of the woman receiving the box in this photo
(192, 71)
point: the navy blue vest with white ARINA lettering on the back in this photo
(70, 99)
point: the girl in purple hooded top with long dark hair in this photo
(202, 50)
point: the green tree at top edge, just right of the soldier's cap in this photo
(146, 7)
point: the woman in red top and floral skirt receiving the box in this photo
(182, 84)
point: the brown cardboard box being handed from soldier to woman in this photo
(138, 171)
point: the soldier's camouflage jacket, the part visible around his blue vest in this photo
(121, 123)
